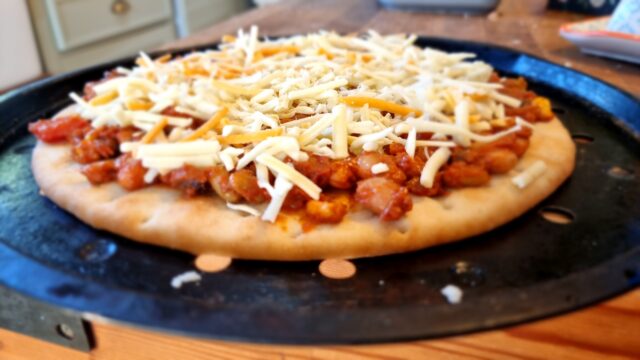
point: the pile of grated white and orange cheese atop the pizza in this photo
(322, 93)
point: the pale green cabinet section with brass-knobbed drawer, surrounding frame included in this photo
(77, 33)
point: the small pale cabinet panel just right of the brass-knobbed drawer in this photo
(193, 15)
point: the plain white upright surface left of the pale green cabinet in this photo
(19, 60)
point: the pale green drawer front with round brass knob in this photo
(80, 22)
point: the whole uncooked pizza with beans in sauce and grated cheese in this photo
(308, 147)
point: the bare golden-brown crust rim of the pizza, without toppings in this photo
(161, 216)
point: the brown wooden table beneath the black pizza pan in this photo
(609, 330)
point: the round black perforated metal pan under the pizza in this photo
(528, 269)
